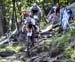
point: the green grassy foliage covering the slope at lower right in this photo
(63, 43)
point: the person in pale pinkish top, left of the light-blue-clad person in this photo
(54, 17)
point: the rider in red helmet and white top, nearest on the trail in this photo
(30, 22)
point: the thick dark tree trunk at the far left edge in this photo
(3, 28)
